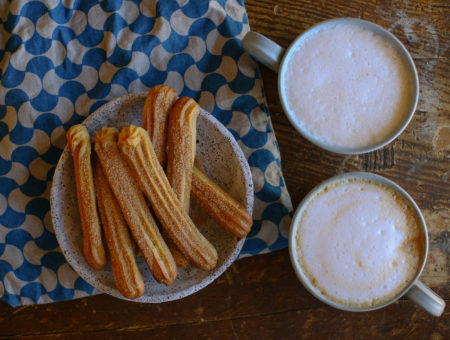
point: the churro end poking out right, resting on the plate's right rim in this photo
(223, 208)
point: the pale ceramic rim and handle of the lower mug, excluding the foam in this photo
(414, 290)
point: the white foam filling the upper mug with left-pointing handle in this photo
(347, 86)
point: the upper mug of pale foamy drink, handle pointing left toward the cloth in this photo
(347, 85)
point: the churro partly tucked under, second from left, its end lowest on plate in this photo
(121, 250)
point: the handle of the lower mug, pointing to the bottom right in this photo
(426, 299)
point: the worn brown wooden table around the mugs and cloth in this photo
(260, 297)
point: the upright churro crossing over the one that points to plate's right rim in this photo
(181, 147)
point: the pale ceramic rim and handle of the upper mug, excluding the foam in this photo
(276, 58)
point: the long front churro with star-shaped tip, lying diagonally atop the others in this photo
(136, 147)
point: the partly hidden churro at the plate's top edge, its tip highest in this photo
(157, 105)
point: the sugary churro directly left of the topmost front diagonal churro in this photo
(134, 207)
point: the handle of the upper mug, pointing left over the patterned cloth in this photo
(263, 50)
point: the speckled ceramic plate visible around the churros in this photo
(220, 157)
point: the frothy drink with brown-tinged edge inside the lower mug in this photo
(359, 242)
